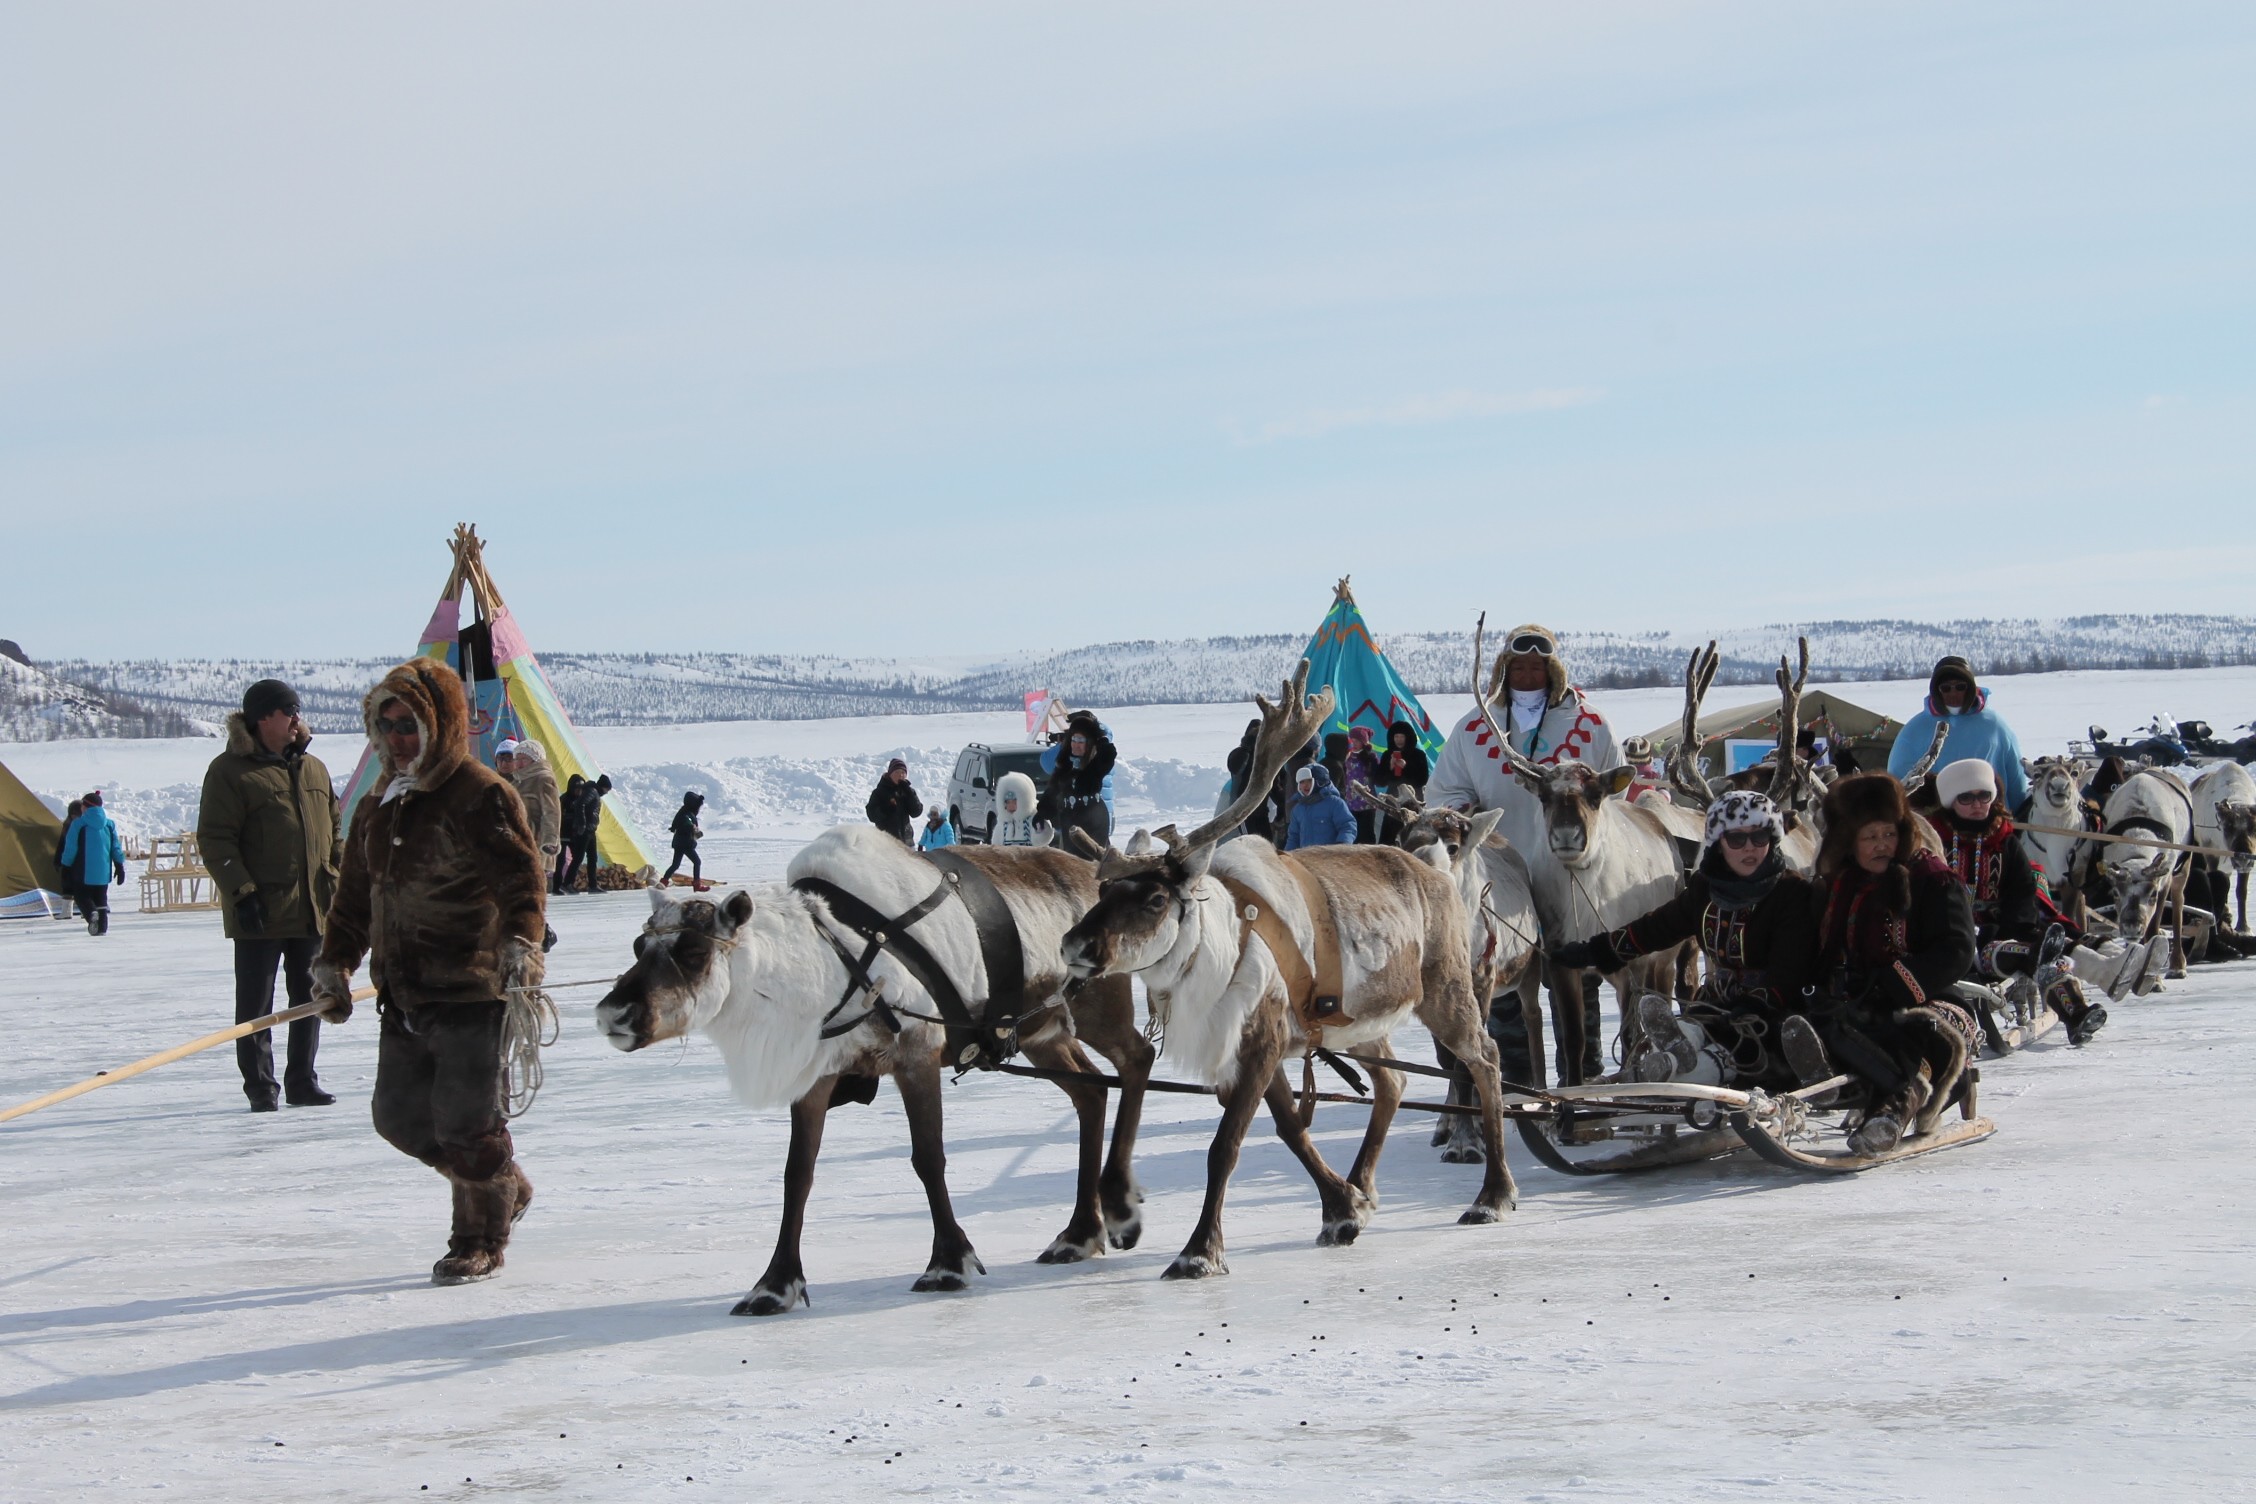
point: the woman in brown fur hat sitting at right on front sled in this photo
(1896, 932)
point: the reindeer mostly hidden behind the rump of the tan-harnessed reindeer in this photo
(1501, 912)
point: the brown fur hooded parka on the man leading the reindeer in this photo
(443, 887)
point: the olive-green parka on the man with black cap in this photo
(270, 824)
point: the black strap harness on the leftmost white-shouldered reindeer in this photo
(973, 1043)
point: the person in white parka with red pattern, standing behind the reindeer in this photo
(1549, 723)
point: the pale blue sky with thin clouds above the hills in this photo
(971, 328)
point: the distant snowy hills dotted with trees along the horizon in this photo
(716, 687)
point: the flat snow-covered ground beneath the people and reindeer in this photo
(197, 1302)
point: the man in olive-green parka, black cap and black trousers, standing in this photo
(267, 831)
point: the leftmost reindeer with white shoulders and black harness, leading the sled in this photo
(770, 977)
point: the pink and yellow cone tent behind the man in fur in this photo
(509, 693)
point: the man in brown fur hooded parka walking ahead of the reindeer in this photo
(443, 892)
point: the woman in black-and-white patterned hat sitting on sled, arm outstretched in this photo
(1752, 921)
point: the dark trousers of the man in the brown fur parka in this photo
(439, 1088)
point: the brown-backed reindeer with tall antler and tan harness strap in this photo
(1226, 937)
